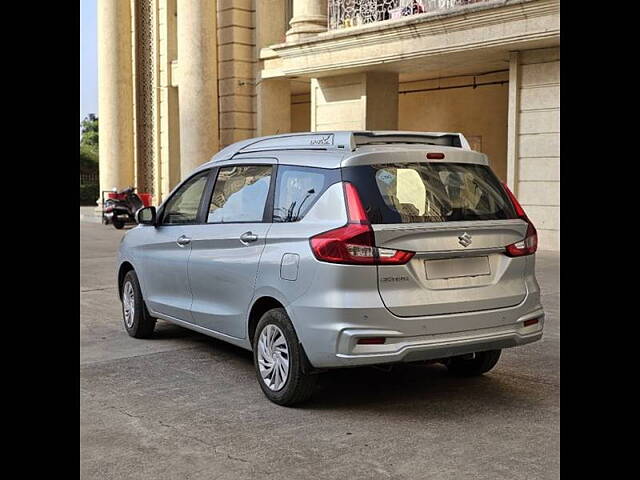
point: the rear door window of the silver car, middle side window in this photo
(240, 194)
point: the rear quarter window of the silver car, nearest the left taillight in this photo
(298, 188)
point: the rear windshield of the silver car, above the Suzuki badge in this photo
(429, 192)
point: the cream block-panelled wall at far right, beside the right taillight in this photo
(538, 143)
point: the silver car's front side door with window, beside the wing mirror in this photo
(166, 253)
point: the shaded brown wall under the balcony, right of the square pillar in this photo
(479, 113)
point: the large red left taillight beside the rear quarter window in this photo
(355, 243)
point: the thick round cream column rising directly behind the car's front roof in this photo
(198, 82)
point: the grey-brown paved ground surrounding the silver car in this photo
(185, 406)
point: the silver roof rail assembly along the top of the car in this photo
(344, 141)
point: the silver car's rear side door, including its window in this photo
(226, 250)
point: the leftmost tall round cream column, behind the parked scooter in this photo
(115, 94)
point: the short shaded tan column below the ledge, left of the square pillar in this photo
(274, 106)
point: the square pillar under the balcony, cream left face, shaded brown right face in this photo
(362, 101)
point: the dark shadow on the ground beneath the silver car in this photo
(404, 388)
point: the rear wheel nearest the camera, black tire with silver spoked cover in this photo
(283, 348)
